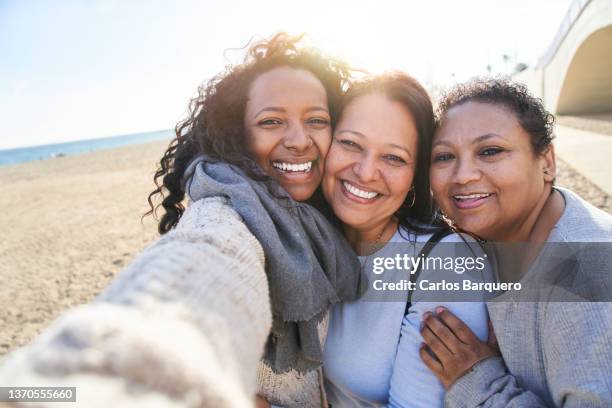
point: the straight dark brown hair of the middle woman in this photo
(416, 212)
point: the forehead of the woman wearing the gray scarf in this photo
(284, 86)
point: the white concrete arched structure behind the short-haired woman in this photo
(575, 74)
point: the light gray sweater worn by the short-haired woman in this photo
(554, 353)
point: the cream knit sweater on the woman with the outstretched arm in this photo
(183, 326)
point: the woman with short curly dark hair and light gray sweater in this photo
(492, 174)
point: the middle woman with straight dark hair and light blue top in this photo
(376, 182)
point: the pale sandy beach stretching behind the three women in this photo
(71, 223)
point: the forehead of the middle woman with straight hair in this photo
(380, 119)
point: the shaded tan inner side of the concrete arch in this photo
(587, 87)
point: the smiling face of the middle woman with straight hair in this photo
(371, 162)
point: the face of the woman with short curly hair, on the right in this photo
(484, 173)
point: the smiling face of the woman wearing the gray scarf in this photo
(288, 130)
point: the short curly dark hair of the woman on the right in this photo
(529, 111)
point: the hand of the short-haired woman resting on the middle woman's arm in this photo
(451, 349)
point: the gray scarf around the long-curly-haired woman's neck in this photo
(310, 266)
